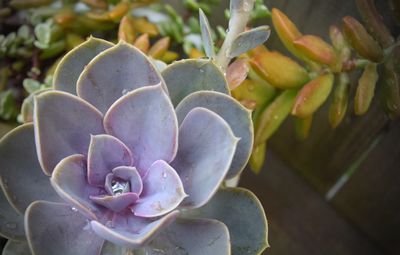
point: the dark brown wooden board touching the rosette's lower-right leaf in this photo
(300, 221)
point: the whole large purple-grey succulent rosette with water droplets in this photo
(120, 156)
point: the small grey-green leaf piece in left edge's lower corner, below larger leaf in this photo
(11, 222)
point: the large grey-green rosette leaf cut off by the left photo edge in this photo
(20, 173)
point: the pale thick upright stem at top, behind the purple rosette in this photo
(240, 15)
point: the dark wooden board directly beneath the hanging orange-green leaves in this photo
(327, 154)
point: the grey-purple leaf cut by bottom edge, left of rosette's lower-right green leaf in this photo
(194, 237)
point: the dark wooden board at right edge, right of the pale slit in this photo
(371, 198)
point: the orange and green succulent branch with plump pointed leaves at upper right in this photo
(278, 86)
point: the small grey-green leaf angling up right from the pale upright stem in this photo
(249, 40)
